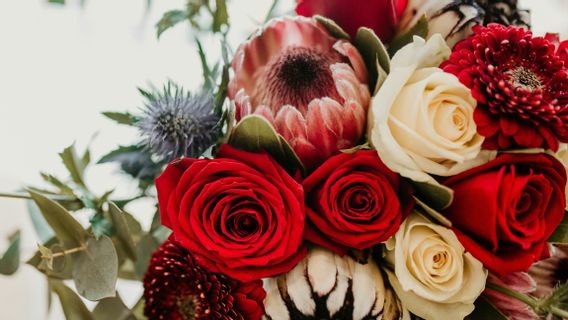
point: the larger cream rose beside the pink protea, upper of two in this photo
(421, 119)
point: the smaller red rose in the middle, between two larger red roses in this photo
(354, 201)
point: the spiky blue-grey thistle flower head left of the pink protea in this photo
(176, 124)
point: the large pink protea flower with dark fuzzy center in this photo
(309, 85)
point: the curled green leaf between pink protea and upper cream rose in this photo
(374, 54)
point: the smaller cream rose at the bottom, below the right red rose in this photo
(433, 275)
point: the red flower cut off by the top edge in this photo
(380, 15)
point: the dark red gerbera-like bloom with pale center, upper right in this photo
(520, 83)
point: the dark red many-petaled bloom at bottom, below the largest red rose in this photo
(176, 288)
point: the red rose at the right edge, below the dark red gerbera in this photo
(504, 211)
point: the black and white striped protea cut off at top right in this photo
(455, 18)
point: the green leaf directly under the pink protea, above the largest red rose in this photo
(254, 133)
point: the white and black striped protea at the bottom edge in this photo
(327, 286)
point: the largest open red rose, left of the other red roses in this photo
(240, 214)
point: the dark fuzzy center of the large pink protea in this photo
(295, 77)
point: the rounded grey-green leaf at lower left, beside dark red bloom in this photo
(96, 269)
